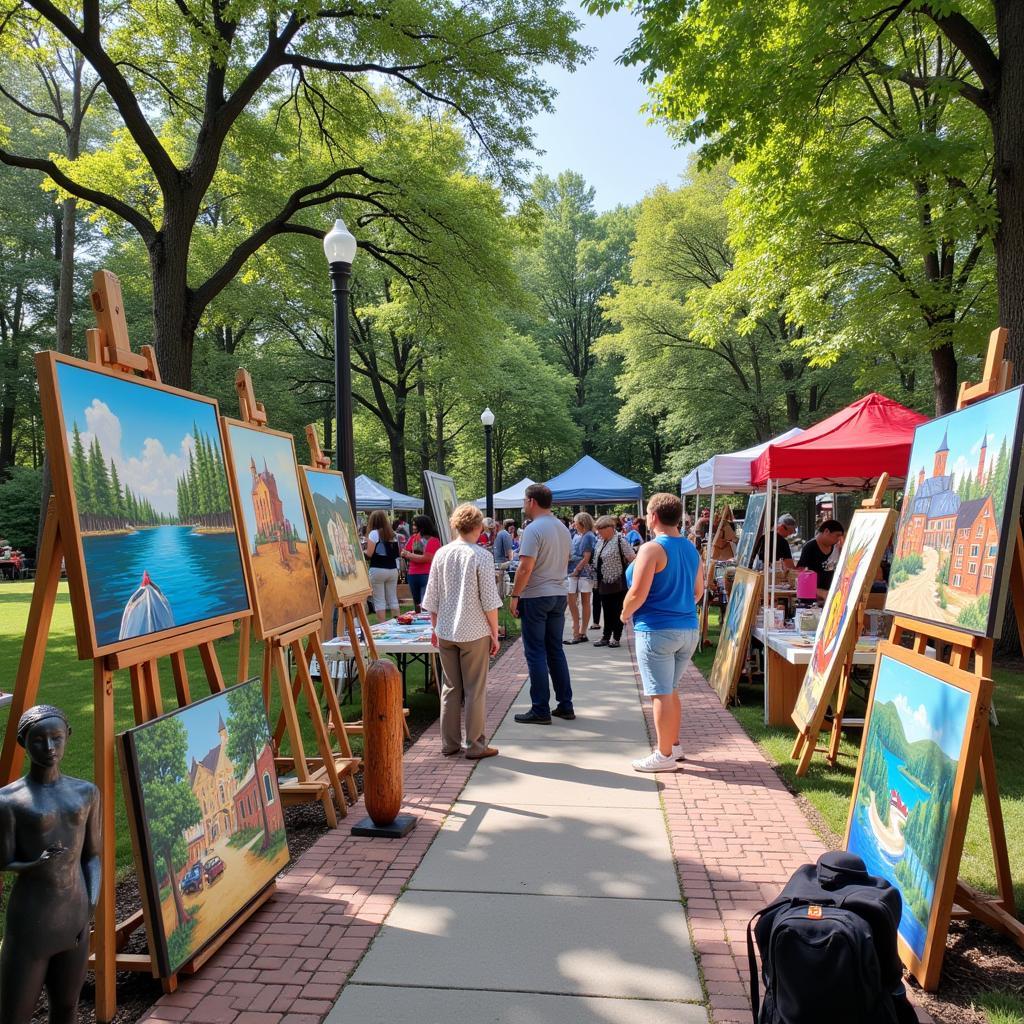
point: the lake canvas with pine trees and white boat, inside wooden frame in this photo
(150, 488)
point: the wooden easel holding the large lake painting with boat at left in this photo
(109, 348)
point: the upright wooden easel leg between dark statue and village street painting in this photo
(105, 935)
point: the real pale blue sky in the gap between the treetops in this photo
(599, 130)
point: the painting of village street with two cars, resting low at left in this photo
(202, 788)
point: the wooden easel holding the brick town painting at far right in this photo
(973, 654)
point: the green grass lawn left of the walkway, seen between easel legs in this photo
(68, 684)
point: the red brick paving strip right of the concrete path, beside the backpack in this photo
(738, 835)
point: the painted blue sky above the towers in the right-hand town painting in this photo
(994, 420)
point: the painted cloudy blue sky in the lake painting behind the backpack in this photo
(927, 708)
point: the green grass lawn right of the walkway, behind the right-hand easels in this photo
(829, 790)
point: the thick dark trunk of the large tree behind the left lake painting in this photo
(174, 323)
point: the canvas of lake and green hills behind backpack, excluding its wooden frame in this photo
(901, 821)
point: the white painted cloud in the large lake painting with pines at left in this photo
(154, 474)
